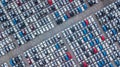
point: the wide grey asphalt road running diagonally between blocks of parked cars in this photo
(52, 32)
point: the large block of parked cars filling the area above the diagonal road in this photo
(23, 20)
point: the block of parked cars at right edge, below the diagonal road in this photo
(109, 18)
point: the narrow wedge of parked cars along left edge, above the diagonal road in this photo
(6, 42)
